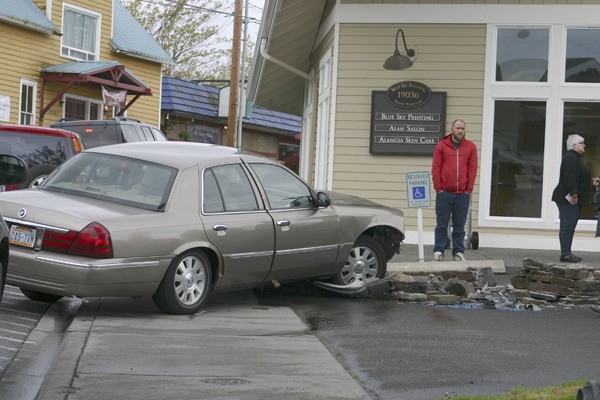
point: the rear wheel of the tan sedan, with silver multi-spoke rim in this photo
(186, 284)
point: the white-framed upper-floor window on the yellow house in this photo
(81, 33)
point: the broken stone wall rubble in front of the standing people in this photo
(537, 284)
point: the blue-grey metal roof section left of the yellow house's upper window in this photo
(24, 13)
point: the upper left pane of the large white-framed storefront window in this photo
(522, 55)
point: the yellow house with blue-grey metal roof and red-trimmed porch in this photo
(81, 59)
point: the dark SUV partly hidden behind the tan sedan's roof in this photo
(96, 133)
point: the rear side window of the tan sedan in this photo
(226, 188)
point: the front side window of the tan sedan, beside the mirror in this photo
(283, 188)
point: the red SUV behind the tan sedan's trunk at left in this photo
(42, 149)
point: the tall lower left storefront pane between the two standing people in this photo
(517, 160)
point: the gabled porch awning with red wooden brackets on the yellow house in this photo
(96, 73)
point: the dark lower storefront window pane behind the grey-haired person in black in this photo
(582, 118)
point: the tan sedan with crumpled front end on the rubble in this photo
(179, 220)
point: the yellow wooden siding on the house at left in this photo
(26, 52)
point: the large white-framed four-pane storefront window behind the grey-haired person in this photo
(544, 84)
